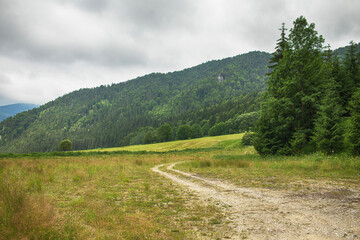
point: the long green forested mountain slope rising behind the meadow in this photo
(106, 116)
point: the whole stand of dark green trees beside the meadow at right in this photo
(312, 102)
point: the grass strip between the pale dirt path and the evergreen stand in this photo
(281, 172)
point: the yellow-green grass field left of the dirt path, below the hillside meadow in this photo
(95, 197)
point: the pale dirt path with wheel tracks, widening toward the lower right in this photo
(255, 213)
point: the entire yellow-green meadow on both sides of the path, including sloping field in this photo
(117, 196)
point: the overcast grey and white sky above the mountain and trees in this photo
(51, 47)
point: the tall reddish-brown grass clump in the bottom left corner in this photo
(25, 216)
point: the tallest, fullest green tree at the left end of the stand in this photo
(291, 102)
